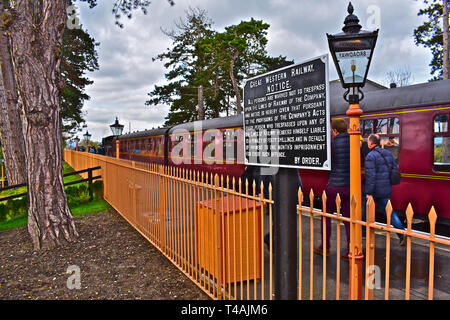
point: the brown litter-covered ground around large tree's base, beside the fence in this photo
(110, 259)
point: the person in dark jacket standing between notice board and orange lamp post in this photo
(339, 181)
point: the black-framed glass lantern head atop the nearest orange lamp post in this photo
(352, 52)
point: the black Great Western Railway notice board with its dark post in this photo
(286, 127)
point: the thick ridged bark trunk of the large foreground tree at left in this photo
(36, 34)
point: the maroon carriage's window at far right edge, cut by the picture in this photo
(441, 141)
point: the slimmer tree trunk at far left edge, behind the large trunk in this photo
(11, 124)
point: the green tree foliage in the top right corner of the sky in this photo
(429, 34)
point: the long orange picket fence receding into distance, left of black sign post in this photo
(210, 227)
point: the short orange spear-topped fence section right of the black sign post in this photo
(429, 240)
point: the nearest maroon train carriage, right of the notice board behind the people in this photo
(413, 123)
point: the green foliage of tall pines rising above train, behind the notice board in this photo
(202, 57)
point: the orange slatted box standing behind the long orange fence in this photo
(221, 250)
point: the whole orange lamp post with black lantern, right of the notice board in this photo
(352, 52)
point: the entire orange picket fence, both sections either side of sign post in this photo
(212, 228)
